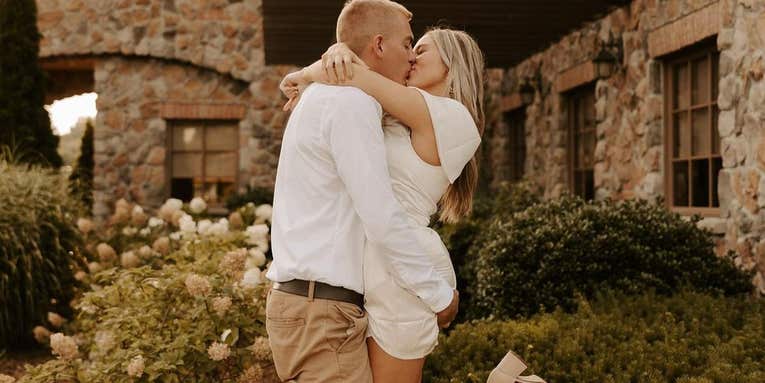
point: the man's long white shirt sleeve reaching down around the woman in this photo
(356, 142)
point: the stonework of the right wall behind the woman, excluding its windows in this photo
(629, 154)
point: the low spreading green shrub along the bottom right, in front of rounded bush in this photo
(688, 338)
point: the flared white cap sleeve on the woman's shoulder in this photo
(457, 136)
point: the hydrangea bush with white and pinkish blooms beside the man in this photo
(176, 297)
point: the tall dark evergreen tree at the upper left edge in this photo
(24, 122)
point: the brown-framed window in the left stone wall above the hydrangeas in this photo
(203, 160)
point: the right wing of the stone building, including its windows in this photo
(679, 116)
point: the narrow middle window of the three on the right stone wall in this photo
(581, 141)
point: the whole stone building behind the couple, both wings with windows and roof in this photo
(604, 98)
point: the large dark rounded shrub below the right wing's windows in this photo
(539, 258)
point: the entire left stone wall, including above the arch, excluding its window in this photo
(156, 60)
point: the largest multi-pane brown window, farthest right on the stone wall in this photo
(693, 142)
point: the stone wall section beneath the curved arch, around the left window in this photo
(137, 96)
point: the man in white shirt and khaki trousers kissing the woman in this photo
(333, 193)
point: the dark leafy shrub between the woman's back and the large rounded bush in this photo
(460, 237)
